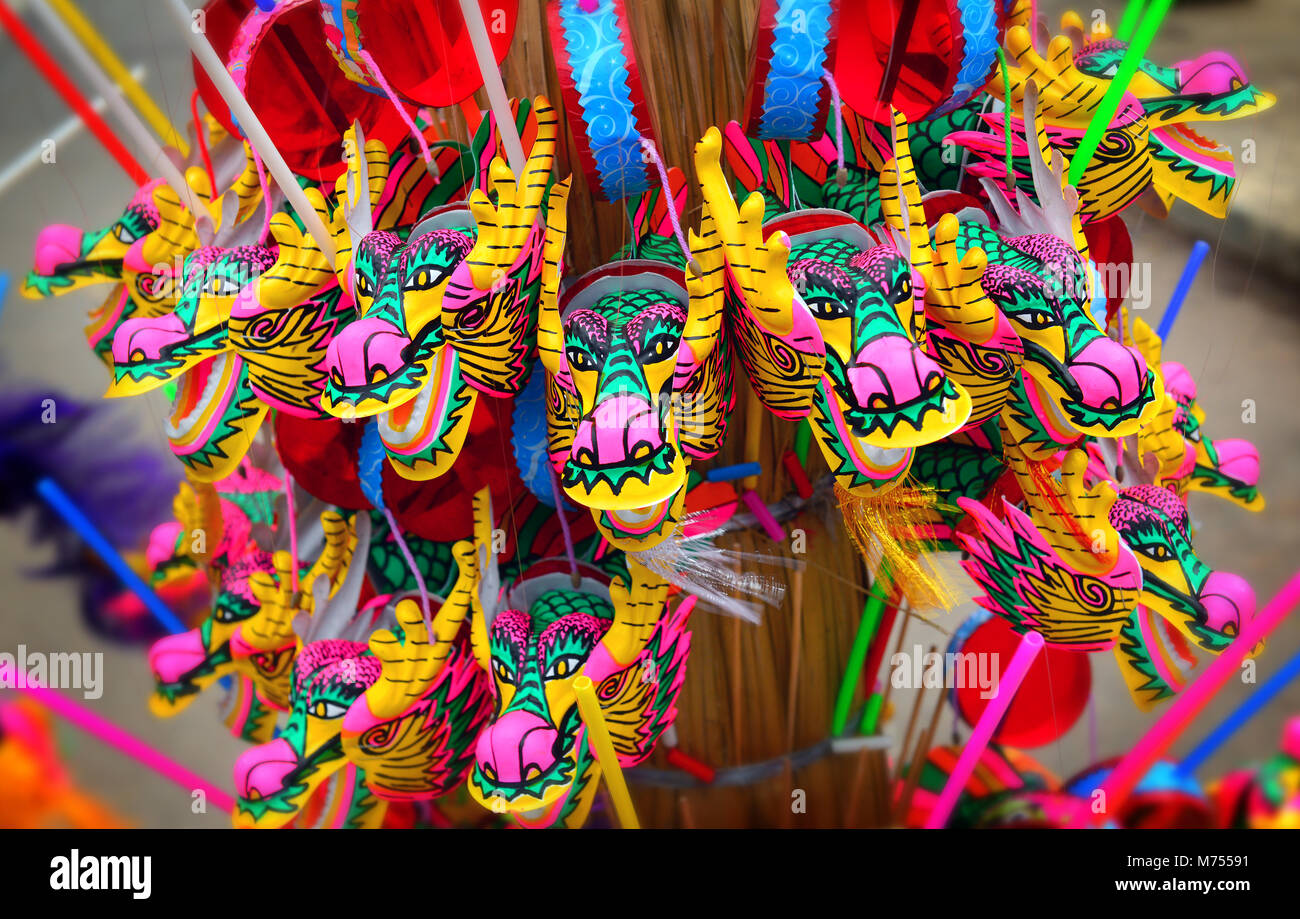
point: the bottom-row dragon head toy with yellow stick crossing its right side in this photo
(534, 760)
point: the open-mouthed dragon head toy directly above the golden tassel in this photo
(827, 322)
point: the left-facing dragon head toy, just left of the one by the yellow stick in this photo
(404, 709)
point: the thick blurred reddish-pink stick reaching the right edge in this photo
(1189, 704)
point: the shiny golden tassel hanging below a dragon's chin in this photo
(890, 527)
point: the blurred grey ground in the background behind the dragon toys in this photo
(1238, 335)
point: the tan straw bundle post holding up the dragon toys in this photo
(694, 58)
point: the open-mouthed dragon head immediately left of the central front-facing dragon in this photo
(448, 310)
